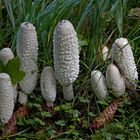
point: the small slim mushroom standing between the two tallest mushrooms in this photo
(48, 85)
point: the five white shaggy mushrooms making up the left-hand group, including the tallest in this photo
(66, 67)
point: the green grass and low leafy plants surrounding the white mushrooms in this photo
(97, 22)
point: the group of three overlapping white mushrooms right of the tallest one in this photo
(120, 75)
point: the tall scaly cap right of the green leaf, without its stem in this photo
(27, 51)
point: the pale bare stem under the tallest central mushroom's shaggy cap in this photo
(68, 92)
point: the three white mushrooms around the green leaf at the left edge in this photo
(27, 51)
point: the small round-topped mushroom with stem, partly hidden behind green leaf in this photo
(6, 54)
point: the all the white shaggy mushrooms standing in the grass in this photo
(120, 74)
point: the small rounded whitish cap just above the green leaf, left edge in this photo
(6, 54)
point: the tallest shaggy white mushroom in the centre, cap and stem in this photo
(66, 56)
